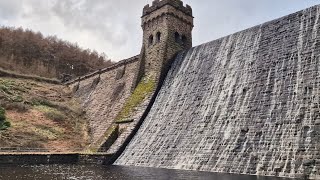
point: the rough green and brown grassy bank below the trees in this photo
(41, 115)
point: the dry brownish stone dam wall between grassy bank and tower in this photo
(103, 94)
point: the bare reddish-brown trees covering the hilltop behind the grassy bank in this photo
(67, 58)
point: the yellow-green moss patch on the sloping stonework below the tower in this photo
(144, 89)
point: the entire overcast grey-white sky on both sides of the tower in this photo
(113, 26)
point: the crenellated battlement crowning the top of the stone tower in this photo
(157, 4)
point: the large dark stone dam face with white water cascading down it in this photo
(247, 103)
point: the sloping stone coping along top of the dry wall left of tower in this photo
(115, 66)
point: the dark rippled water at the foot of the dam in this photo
(95, 172)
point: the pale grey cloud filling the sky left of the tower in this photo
(114, 25)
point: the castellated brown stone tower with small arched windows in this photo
(167, 29)
